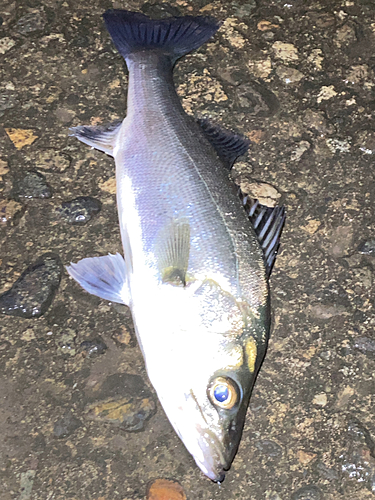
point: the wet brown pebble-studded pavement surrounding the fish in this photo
(78, 418)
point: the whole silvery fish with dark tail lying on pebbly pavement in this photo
(197, 254)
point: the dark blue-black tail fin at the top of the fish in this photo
(175, 36)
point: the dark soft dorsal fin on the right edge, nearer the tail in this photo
(228, 145)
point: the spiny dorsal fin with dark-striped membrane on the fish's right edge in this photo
(268, 224)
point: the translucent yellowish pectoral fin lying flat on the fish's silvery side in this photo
(172, 250)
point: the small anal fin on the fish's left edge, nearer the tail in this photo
(102, 137)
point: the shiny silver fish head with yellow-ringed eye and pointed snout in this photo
(210, 365)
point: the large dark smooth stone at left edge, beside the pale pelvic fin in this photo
(33, 292)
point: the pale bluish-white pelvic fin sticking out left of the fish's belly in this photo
(106, 277)
